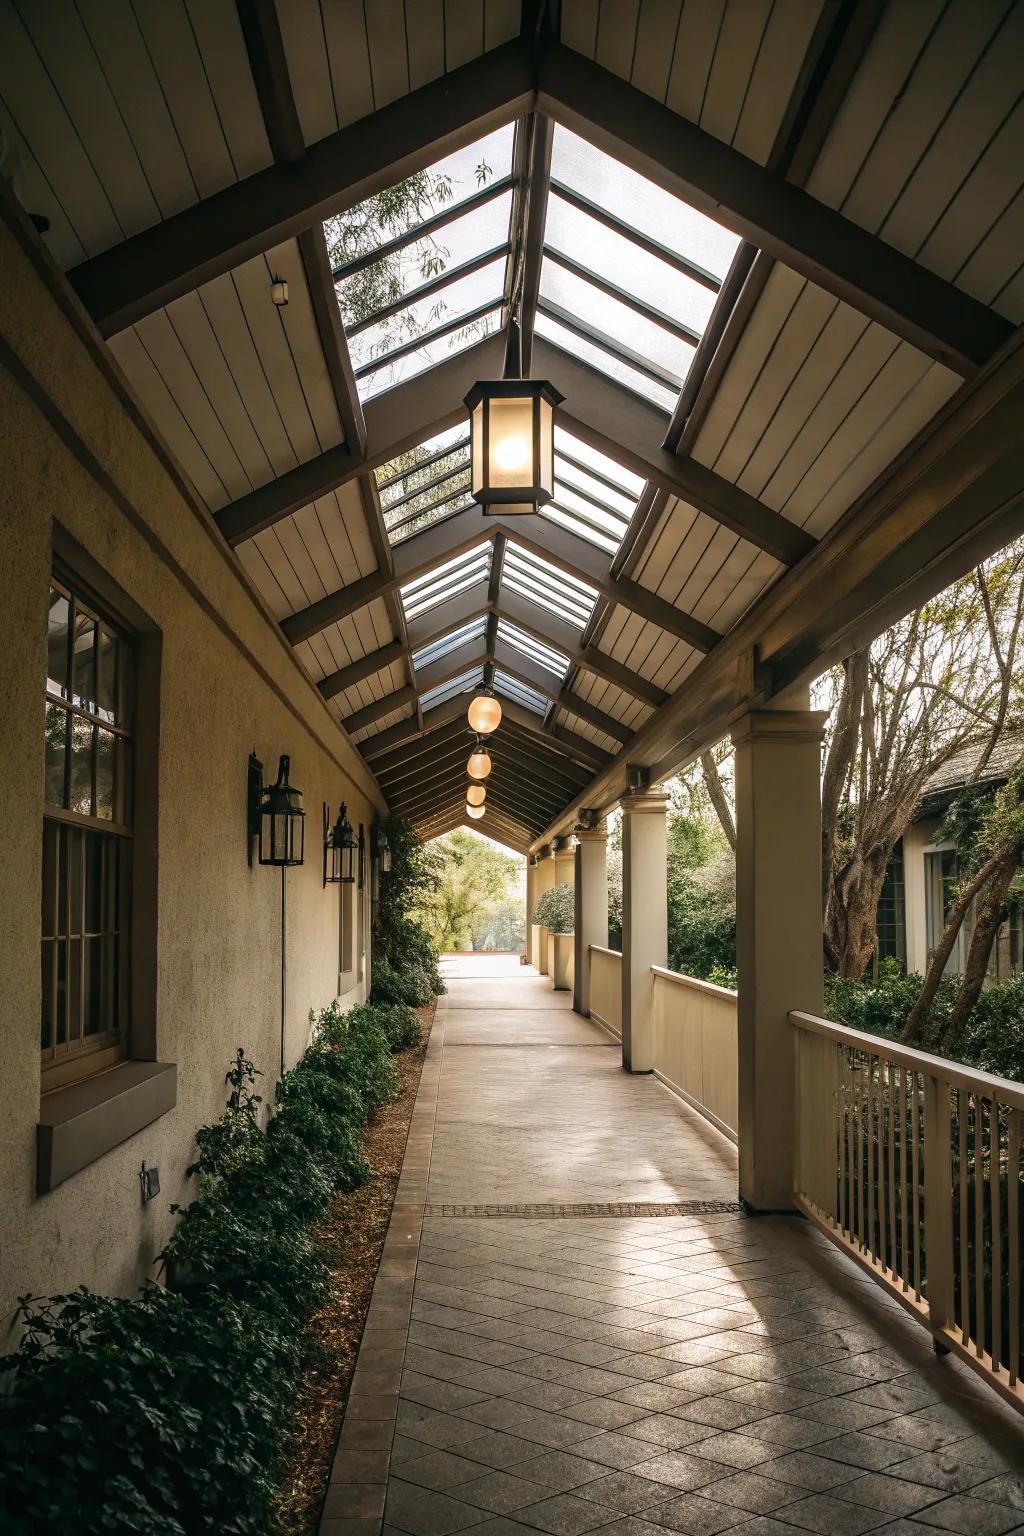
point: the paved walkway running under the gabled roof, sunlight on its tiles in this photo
(578, 1363)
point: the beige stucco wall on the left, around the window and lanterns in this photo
(73, 451)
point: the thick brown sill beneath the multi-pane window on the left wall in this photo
(82, 1124)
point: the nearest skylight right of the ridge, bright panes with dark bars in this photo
(630, 273)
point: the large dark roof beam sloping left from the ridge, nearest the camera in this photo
(188, 250)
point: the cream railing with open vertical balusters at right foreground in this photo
(913, 1165)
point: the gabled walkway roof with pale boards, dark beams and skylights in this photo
(756, 247)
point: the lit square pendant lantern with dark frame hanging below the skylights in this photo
(512, 437)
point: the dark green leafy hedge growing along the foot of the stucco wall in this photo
(170, 1414)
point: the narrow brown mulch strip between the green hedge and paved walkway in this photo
(352, 1234)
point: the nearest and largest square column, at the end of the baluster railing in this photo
(779, 933)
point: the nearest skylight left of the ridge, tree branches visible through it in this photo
(420, 270)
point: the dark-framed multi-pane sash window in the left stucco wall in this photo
(87, 839)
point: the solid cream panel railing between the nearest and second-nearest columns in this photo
(696, 1045)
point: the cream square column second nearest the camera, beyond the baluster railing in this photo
(644, 919)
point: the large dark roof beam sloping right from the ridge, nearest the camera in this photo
(771, 213)
